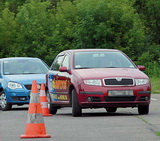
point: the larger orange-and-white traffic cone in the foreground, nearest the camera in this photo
(35, 127)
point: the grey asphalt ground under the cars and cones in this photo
(94, 125)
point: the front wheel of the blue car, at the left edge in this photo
(5, 106)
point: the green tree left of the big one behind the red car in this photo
(35, 30)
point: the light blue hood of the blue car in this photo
(27, 79)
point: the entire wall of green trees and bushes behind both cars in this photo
(43, 28)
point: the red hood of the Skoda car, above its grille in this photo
(101, 73)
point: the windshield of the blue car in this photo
(24, 66)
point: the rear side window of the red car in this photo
(55, 66)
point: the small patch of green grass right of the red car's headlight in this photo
(155, 85)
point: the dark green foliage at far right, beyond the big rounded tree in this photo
(150, 14)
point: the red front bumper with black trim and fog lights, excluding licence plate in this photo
(96, 97)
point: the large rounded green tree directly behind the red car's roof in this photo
(100, 24)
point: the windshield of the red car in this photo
(106, 59)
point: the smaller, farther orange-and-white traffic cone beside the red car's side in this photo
(43, 101)
